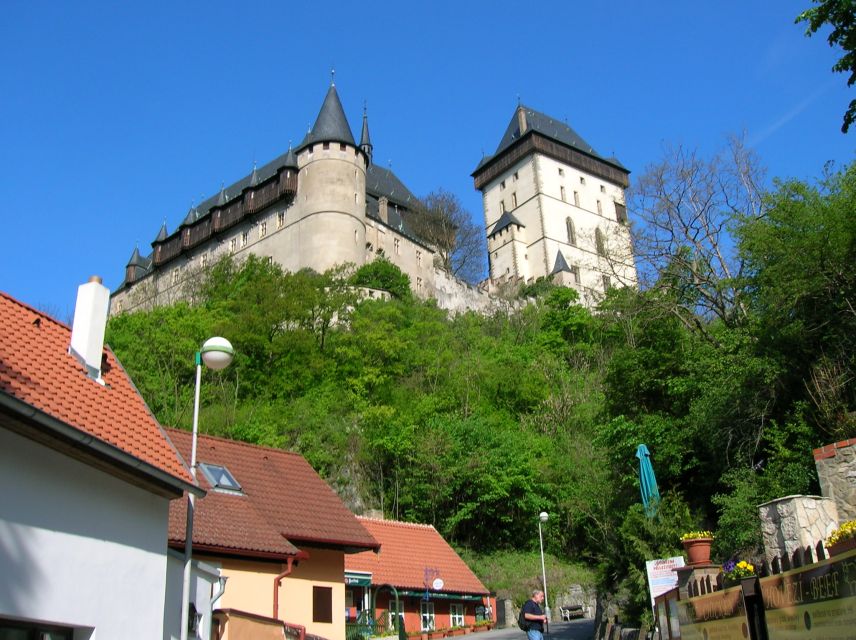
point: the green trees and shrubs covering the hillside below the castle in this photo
(475, 424)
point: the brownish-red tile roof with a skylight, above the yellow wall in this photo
(284, 503)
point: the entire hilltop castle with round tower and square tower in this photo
(325, 203)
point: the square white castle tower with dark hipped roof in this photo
(554, 207)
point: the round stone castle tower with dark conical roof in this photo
(329, 212)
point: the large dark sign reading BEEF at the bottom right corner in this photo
(817, 601)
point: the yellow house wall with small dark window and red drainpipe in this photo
(250, 589)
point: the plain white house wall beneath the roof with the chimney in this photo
(78, 547)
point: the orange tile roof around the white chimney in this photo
(36, 368)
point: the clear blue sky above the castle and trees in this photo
(117, 116)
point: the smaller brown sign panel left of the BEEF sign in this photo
(719, 615)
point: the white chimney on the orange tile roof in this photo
(90, 321)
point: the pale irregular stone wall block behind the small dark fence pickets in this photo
(795, 522)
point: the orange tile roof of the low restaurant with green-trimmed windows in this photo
(411, 552)
